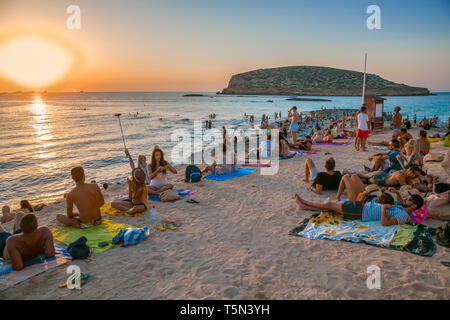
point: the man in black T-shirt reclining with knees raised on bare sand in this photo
(328, 180)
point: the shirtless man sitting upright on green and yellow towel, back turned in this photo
(87, 197)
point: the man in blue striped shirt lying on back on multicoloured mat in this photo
(382, 210)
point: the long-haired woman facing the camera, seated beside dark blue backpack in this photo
(158, 172)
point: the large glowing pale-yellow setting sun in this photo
(34, 61)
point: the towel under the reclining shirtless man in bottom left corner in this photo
(9, 277)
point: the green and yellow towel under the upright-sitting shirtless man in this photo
(104, 232)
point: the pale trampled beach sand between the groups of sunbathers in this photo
(234, 244)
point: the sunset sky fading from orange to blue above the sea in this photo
(198, 45)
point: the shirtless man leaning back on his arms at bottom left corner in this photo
(27, 245)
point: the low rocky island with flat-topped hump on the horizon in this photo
(315, 81)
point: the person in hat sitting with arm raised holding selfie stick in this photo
(137, 191)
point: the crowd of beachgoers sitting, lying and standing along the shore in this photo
(372, 193)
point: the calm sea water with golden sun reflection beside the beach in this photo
(42, 136)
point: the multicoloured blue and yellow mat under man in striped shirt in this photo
(416, 239)
